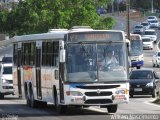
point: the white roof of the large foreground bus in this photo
(58, 34)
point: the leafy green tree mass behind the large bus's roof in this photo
(37, 16)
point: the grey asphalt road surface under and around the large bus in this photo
(12, 108)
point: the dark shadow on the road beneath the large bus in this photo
(22, 110)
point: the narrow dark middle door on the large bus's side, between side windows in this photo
(38, 69)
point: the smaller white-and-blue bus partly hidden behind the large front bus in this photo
(136, 51)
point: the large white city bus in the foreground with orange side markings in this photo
(63, 68)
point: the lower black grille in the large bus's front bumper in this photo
(98, 101)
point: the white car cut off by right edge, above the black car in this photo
(156, 59)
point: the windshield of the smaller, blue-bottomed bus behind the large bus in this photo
(136, 47)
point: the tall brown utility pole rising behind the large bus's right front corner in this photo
(128, 18)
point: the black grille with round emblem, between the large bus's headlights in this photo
(98, 94)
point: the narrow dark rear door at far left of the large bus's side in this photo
(19, 52)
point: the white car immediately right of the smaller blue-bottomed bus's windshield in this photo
(147, 43)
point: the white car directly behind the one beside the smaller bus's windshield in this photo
(151, 33)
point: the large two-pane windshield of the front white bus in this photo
(91, 63)
